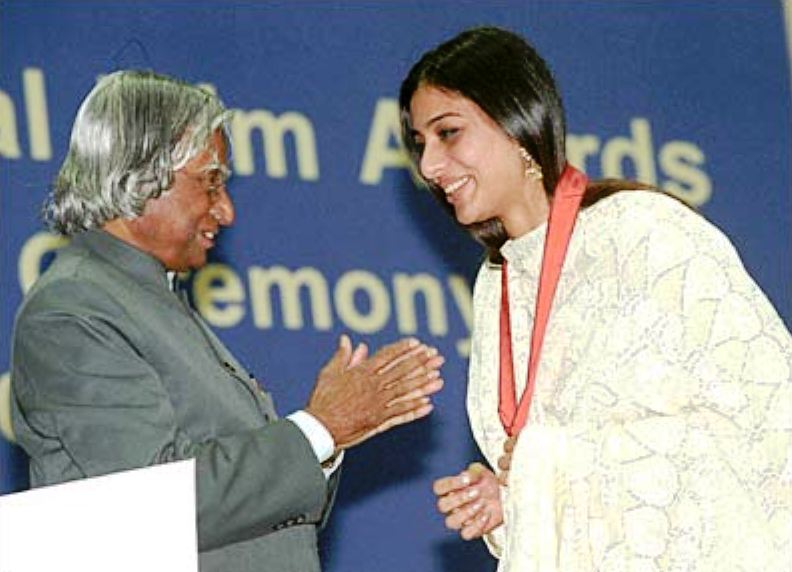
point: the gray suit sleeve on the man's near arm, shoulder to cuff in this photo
(86, 403)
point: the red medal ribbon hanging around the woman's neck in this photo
(563, 212)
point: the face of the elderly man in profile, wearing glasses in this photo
(180, 226)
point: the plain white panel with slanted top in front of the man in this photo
(141, 520)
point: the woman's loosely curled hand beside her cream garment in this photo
(470, 501)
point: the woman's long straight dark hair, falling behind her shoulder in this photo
(505, 76)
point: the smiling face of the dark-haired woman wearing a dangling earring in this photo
(468, 155)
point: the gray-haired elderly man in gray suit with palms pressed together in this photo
(113, 370)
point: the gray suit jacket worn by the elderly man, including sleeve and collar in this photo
(113, 371)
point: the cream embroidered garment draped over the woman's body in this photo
(659, 434)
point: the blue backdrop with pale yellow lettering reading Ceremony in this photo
(332, 236)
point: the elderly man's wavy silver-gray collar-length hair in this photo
(132, 131)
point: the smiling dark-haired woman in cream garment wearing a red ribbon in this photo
(647, 434)
